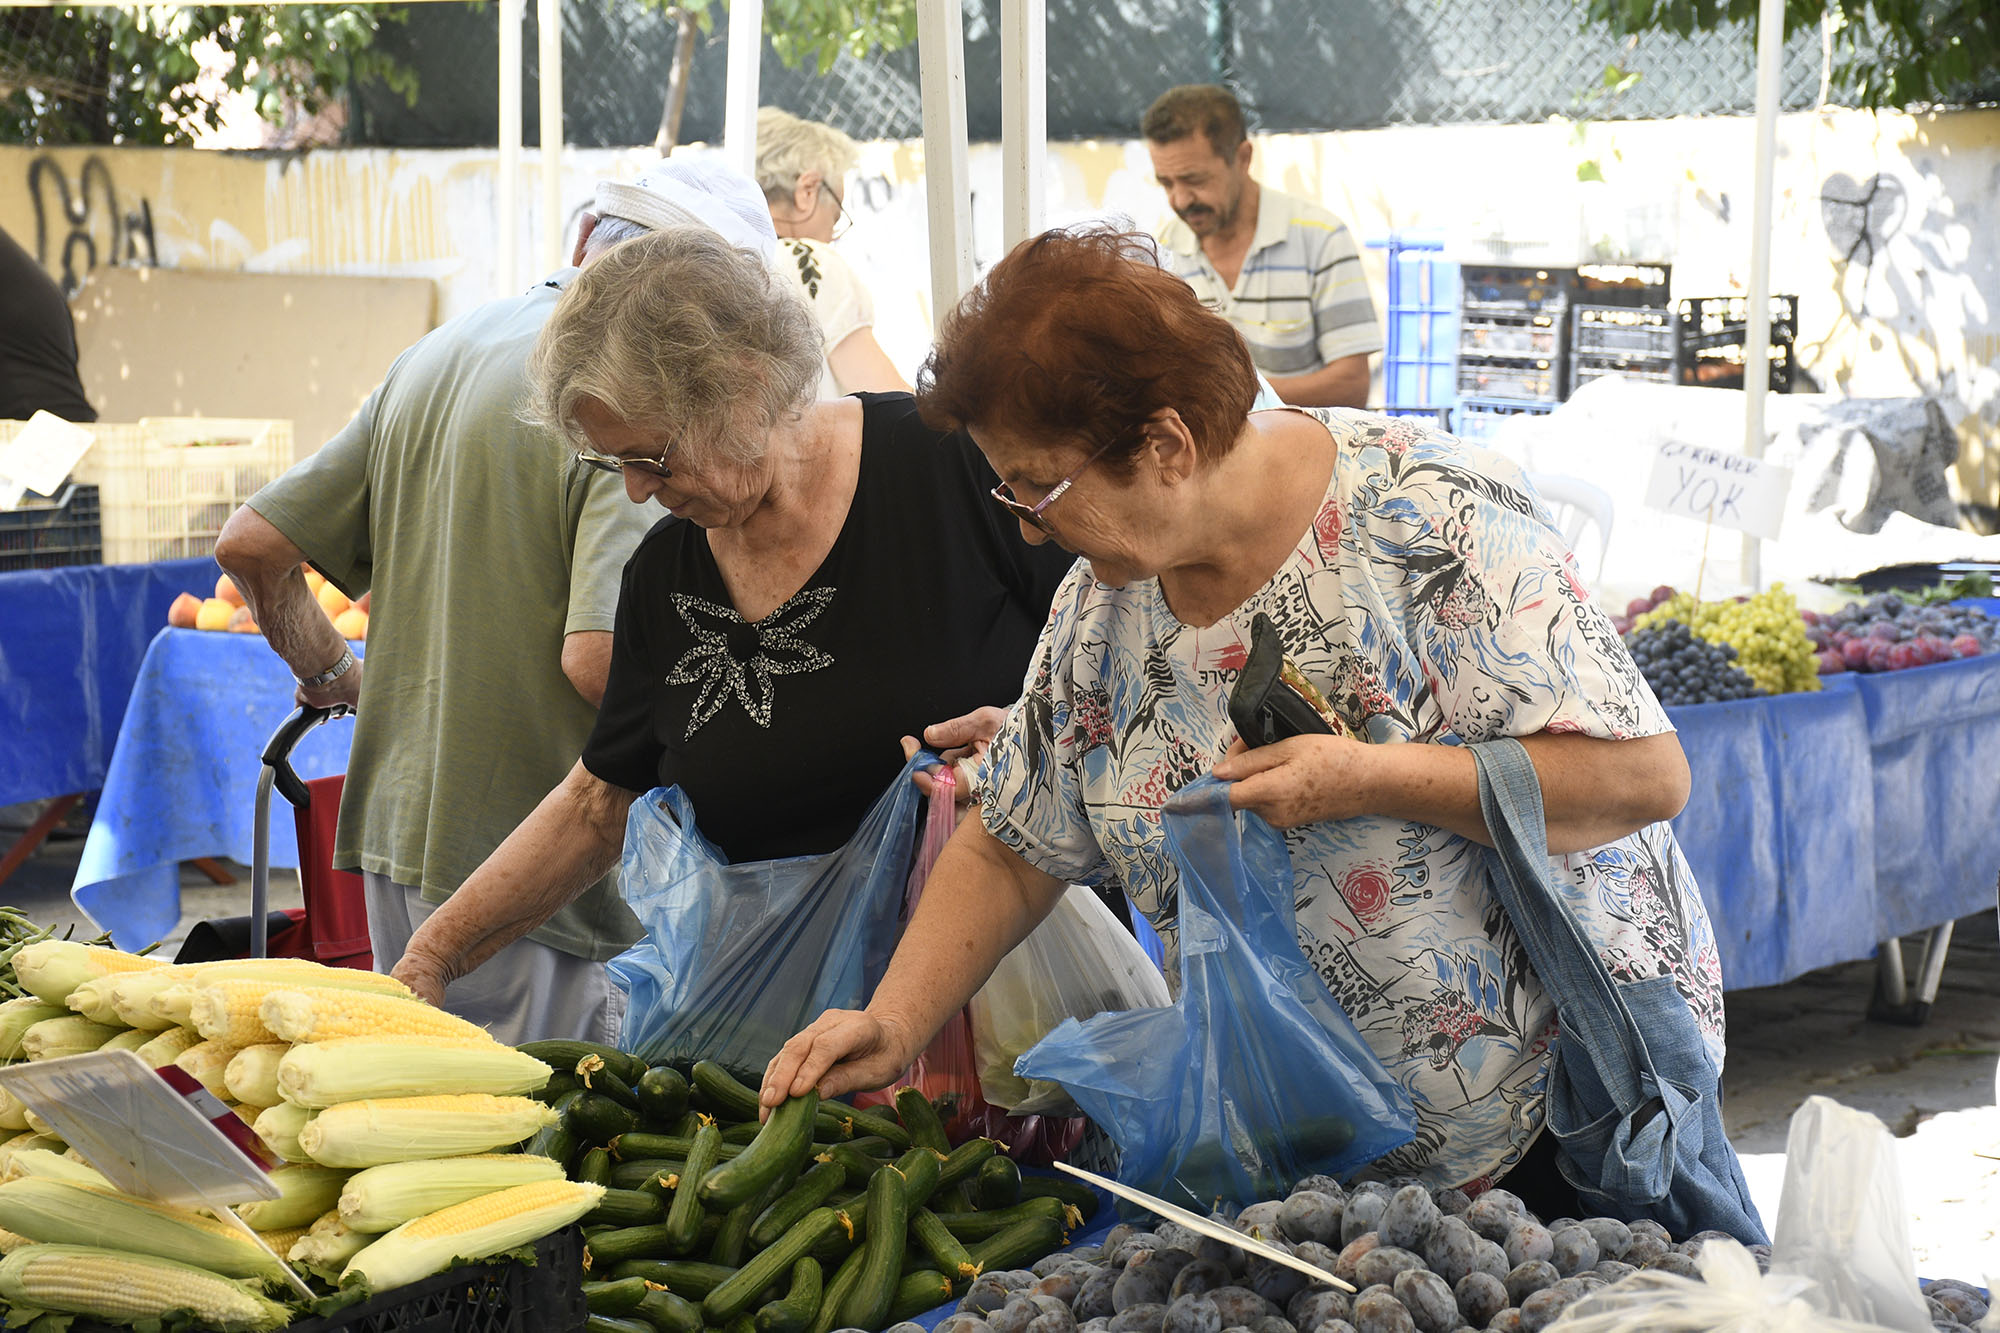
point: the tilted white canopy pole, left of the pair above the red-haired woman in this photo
(941, 57)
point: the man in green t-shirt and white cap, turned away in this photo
(493, 557)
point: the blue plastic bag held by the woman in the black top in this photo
(739, 958)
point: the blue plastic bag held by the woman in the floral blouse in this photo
(1257, 1076)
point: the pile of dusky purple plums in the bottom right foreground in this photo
(1421, 1260)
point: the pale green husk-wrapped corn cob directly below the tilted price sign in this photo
(69, 1214)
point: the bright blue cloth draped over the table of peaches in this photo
(183, 780)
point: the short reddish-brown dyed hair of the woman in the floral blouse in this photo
(1081, 337)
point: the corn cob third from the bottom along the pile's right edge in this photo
(371, 1134)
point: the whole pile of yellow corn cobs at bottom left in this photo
(393, 1120)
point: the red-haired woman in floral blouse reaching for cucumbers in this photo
(1415, 581)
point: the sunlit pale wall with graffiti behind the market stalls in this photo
(1885, 223)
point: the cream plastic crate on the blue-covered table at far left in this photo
(169, 483)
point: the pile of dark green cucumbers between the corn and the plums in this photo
(823, 1218)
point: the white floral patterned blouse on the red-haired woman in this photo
(1433, 601)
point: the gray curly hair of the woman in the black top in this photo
(679, 331)
